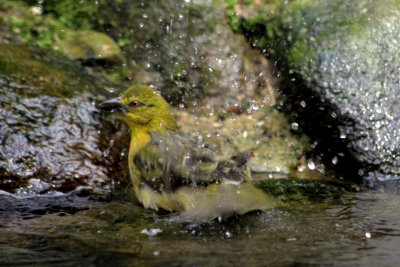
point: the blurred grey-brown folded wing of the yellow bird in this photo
(171, 160)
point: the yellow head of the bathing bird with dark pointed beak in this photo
(142, 109)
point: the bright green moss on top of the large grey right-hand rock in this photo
(285, 27)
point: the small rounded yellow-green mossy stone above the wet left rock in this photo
(90, 47)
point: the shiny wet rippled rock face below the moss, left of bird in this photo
(42, 138)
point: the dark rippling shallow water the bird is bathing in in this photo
(356, 229)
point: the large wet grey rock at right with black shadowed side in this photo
(343, 60)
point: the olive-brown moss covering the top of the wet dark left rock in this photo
(42, 73)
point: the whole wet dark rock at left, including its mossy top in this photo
(49, 126)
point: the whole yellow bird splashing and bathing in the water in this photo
(171, 171)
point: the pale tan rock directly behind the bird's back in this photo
(274, 149)
